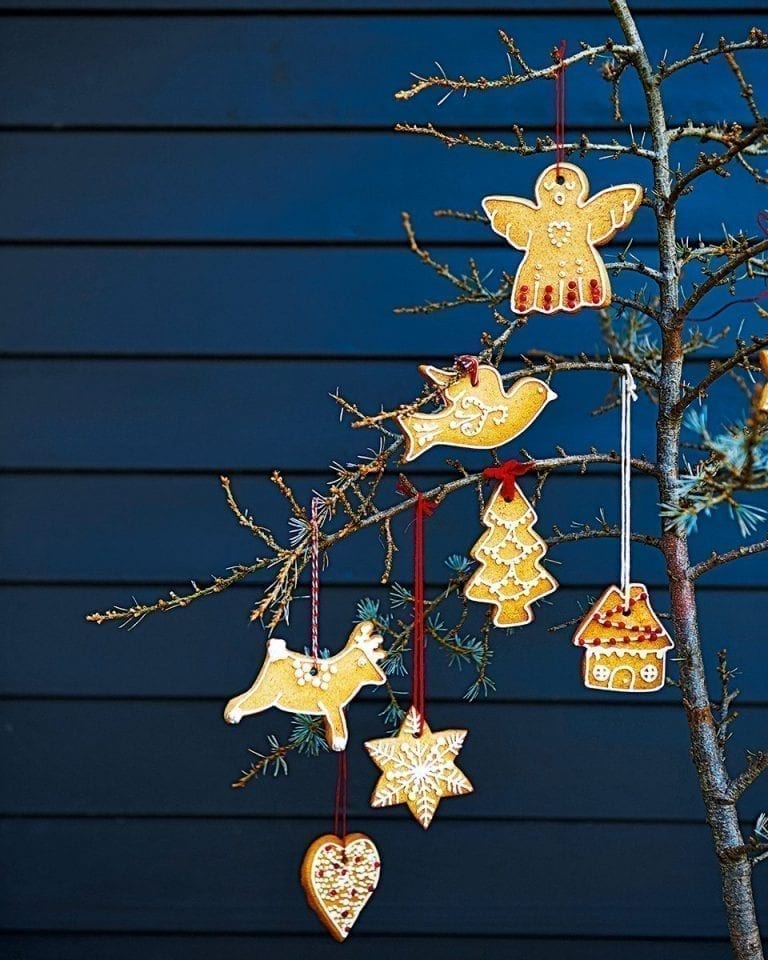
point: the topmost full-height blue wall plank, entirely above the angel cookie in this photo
(233, 71)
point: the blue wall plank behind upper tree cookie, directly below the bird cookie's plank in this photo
(138, 528)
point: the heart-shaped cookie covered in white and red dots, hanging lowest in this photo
(339, 874)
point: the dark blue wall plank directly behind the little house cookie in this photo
(211, 651)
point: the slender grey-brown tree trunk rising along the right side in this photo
(714, 781)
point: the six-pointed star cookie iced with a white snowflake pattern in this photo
(418, 769)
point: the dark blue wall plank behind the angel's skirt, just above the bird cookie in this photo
(187, 301)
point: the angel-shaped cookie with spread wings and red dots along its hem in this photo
(561, 269)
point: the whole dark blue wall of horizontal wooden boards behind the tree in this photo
(199, 240)
